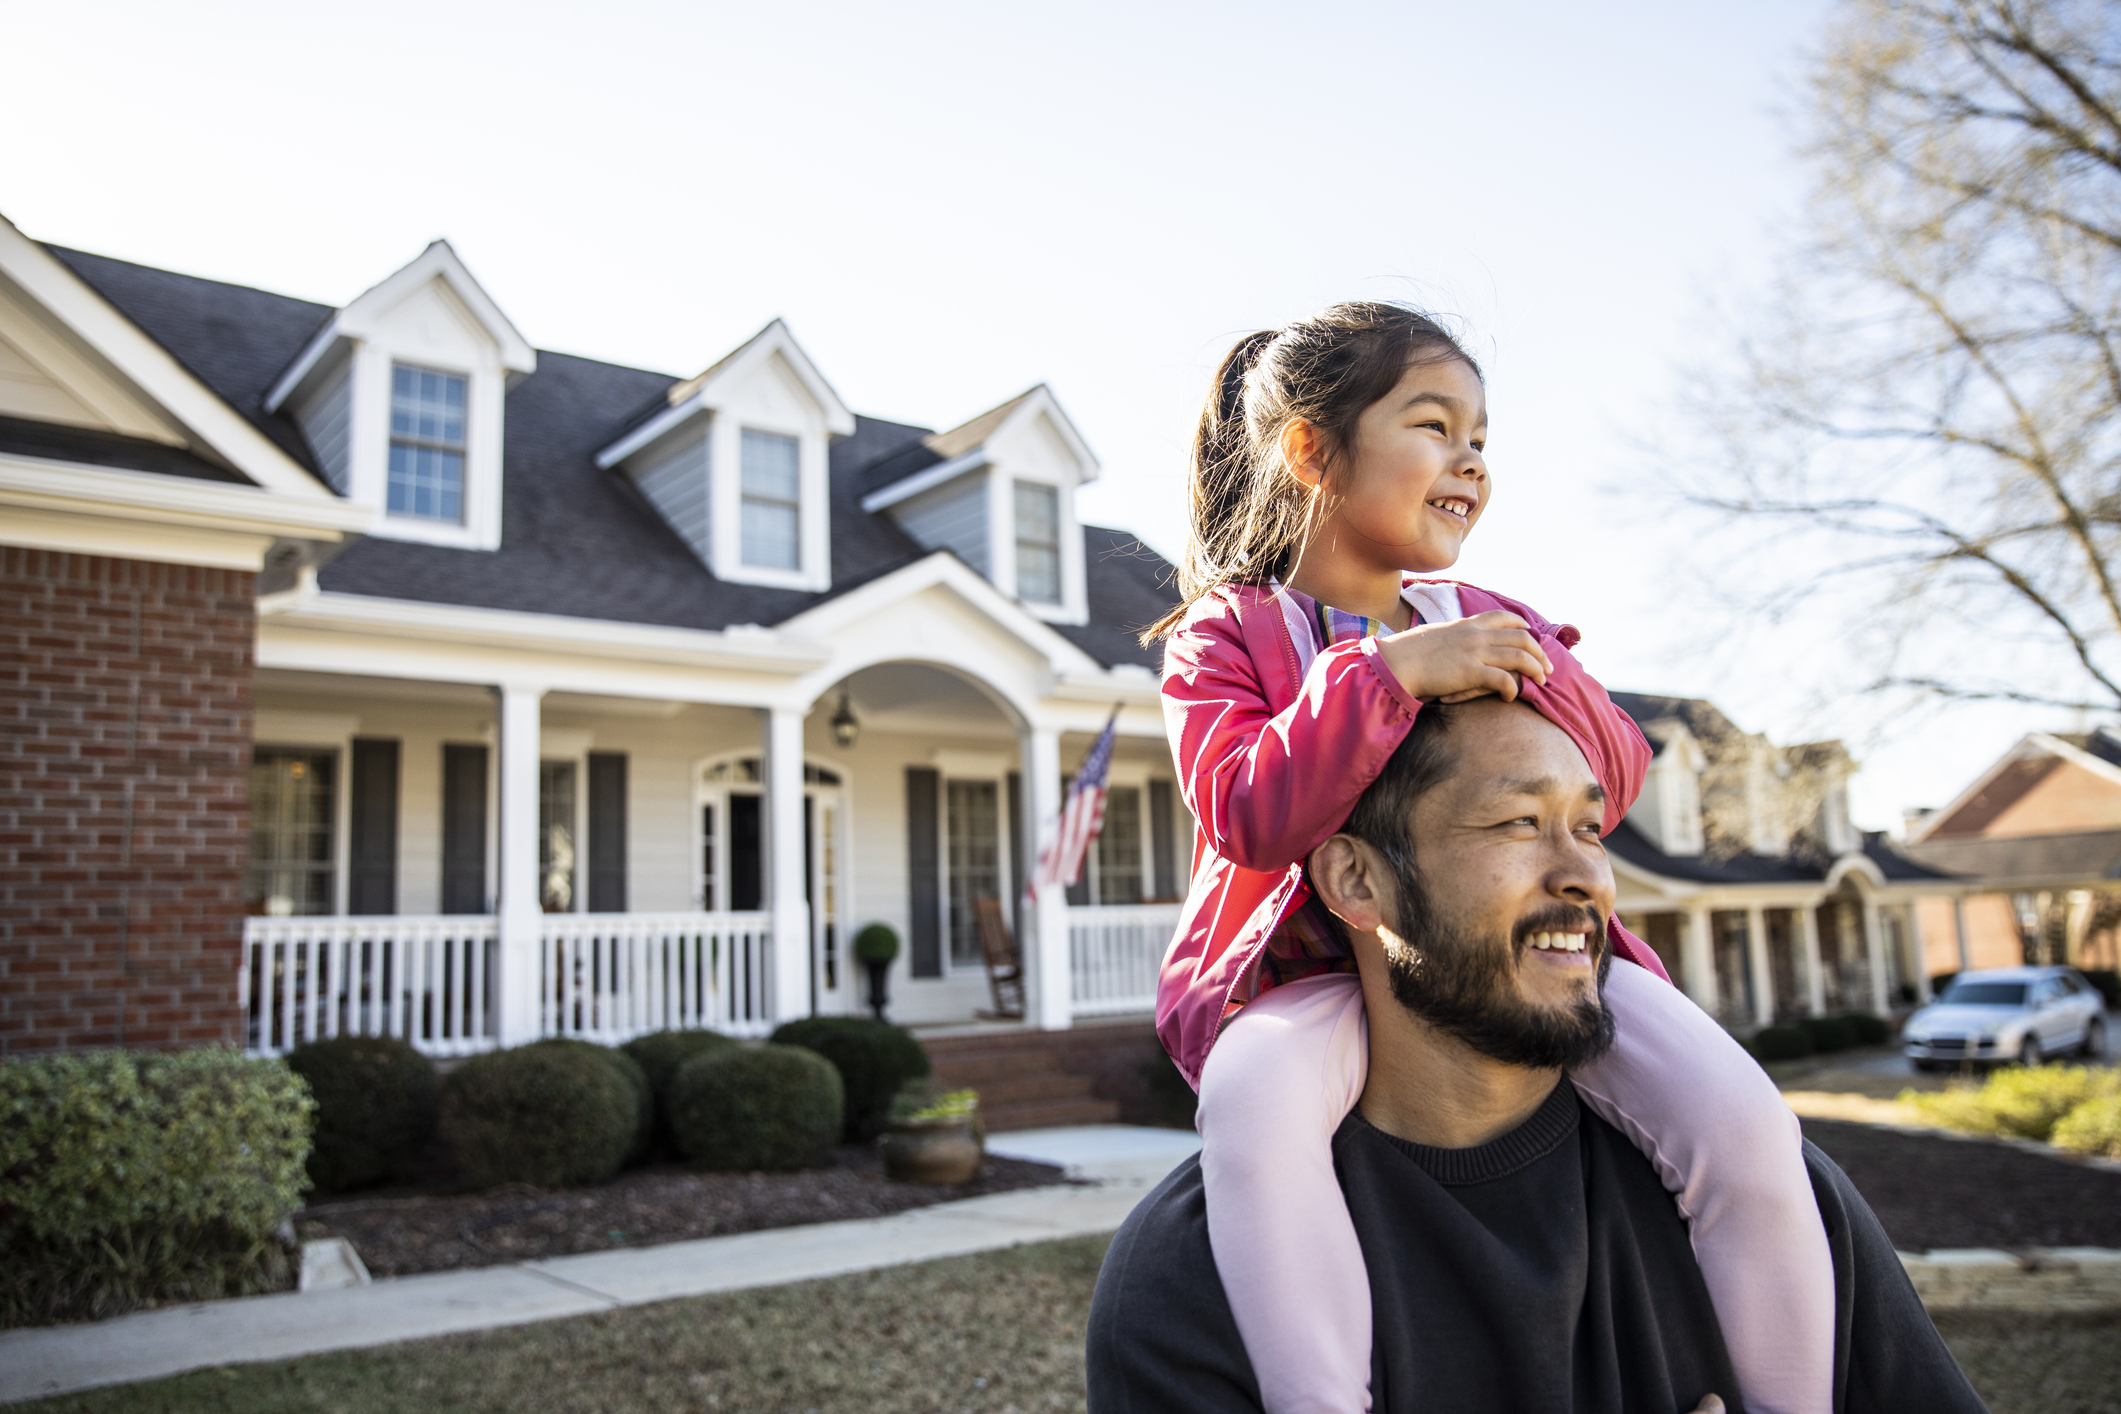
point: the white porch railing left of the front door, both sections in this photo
(436, 983)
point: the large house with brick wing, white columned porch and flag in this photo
(376, 671)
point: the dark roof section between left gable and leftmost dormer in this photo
(232, 338)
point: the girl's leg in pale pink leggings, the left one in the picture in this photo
(1280, 1082)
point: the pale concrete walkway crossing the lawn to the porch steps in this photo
(1119, 1163)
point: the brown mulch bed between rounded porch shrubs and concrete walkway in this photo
(402, 1233)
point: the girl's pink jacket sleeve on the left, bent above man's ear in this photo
(1269, 788)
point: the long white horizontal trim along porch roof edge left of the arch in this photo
(743, 648)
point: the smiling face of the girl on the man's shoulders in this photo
(1416, 482)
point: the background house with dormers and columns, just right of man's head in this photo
(1742, 870)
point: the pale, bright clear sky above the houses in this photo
(953, 202)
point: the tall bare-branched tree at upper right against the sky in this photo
(1929, 421)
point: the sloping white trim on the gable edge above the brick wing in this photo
(152, 368)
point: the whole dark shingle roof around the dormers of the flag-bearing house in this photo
(580, 542)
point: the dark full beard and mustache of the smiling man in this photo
(1467, 985)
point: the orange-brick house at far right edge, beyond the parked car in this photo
(2037, 841)
